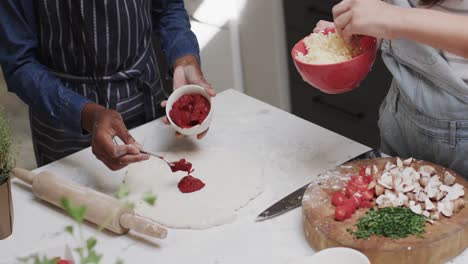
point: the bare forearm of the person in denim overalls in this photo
(441, 30)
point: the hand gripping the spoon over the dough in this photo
(105, 124)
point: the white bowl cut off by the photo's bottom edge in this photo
(337, 255)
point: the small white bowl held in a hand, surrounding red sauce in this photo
(179, 92)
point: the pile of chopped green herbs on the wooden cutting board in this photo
(392, 222)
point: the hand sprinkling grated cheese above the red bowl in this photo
(364, 17)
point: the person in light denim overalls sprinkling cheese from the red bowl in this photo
(425, 47)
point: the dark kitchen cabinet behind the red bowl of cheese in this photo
(353, 114)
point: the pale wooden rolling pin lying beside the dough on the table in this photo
(99, 207)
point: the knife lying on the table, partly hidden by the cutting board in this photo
(294, 199)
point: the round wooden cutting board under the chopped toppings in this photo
(444, 240)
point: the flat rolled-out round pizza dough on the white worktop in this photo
(231, 179)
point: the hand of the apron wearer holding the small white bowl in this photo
(187, 71)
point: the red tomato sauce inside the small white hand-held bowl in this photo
(190, 110)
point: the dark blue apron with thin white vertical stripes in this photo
(120, 34)
